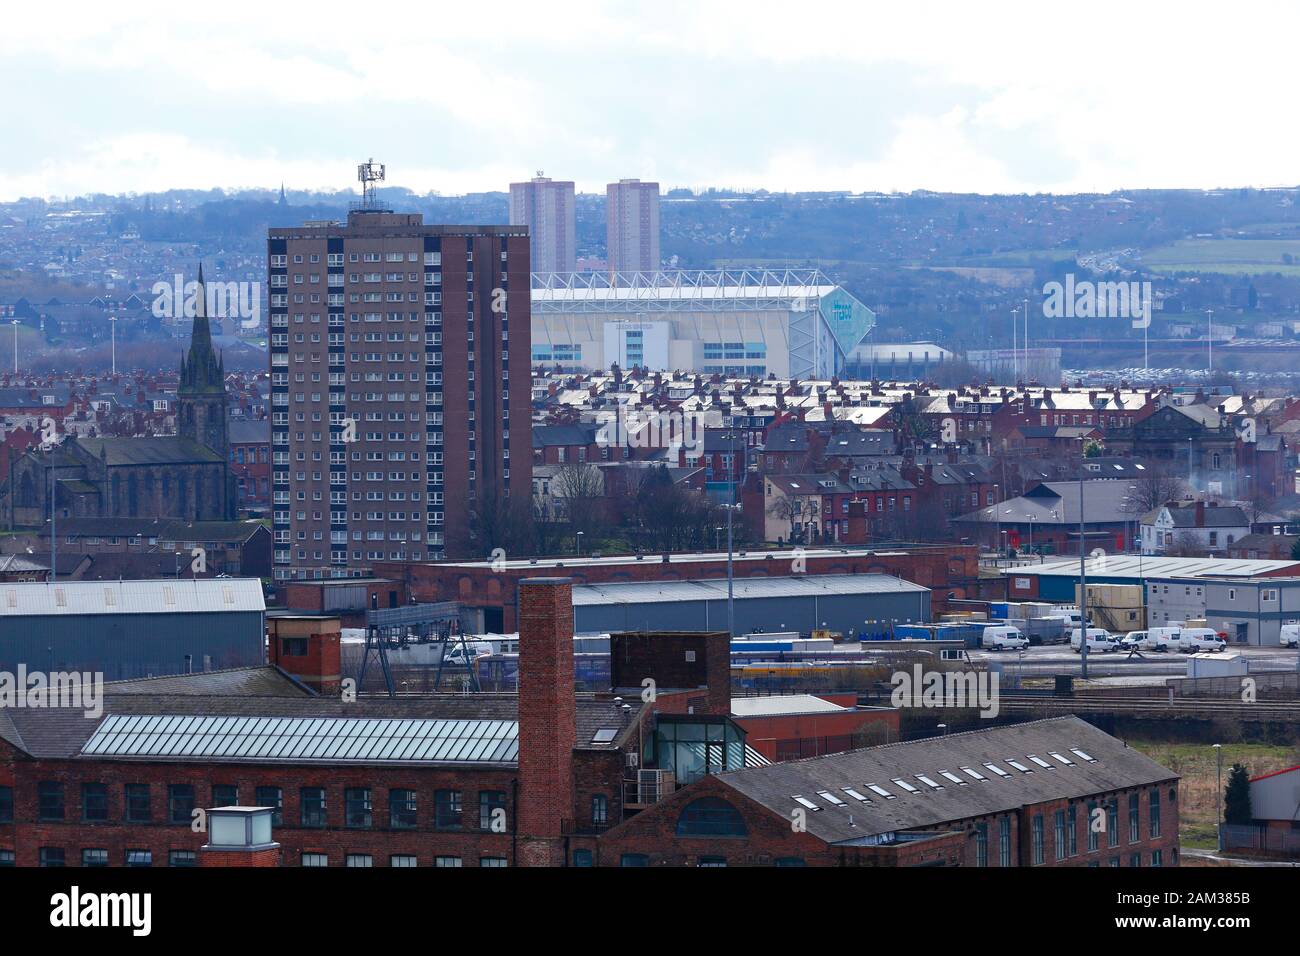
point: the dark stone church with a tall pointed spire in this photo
(187, 475)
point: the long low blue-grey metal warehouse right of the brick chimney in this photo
(864, 604)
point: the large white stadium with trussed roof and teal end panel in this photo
(794, 325)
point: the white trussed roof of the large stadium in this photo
(651, 292)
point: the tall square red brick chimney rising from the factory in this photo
(548, 720)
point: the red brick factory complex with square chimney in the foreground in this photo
(551, 777)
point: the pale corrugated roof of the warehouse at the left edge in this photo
(166, 596)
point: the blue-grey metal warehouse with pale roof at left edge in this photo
(133, 629)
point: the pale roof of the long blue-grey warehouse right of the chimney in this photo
(821, 586)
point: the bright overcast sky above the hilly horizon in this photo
(467, 97)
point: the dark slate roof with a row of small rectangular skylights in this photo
(1115, 767)
